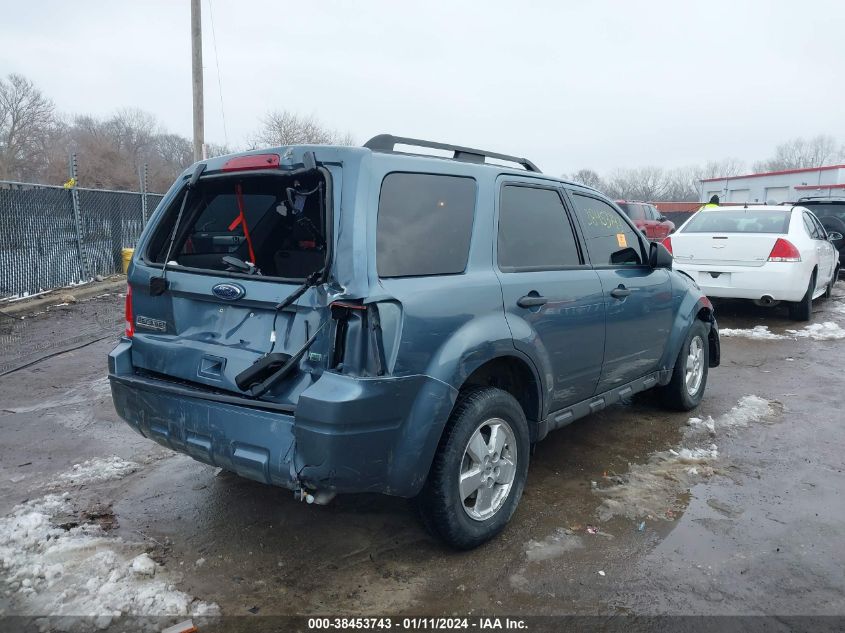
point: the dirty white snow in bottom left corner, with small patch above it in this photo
(47, 568)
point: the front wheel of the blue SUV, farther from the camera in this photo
(689, 377)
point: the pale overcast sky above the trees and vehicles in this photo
(600, 84)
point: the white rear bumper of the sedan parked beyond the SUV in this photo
(780, 280)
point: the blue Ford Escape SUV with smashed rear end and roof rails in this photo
(339, 320)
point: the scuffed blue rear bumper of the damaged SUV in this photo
(345, 435)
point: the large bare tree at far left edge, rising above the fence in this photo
(27, 118)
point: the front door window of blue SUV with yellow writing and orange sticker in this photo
(610, 240)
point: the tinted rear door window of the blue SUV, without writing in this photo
(534, 231)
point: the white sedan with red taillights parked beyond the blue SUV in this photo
(765, 253)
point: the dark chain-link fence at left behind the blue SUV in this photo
(52, 237)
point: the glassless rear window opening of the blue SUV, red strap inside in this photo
(264, 225)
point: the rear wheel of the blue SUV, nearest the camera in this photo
(479, 470)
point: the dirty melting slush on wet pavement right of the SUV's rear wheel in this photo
(655, 489)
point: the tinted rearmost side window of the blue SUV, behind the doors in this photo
(424, 224)
